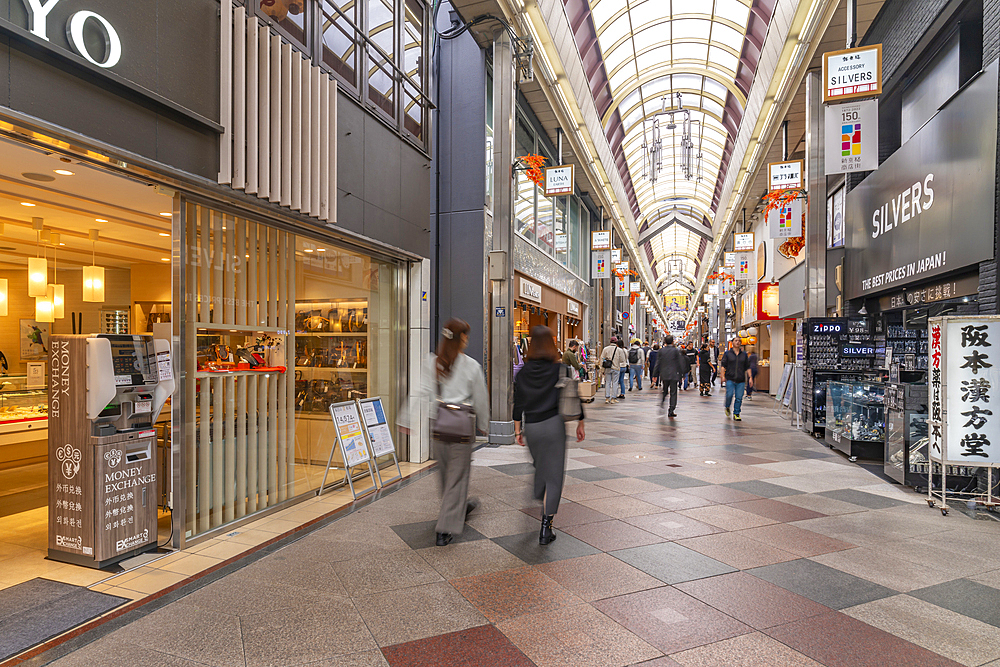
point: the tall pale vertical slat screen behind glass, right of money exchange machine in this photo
(240, 431)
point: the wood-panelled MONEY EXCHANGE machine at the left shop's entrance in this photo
(105, 393)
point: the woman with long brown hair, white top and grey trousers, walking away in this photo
(455, 378)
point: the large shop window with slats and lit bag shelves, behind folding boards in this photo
(276, 328)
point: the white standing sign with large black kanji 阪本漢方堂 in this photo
(969, 359)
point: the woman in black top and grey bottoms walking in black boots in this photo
(537, 421)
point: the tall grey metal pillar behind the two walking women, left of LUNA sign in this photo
(501, 328)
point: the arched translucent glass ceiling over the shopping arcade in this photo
(705, 49)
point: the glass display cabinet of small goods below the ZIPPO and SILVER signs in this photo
(855, 419)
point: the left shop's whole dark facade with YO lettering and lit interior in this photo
(239, 198)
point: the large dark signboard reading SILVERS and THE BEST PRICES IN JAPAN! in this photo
(929, 209)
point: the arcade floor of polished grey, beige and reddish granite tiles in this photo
(697, 541)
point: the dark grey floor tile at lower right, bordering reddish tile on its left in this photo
(822, 584)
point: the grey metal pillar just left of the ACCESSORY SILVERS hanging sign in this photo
(816, 215)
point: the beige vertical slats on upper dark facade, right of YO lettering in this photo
(280, 120)
